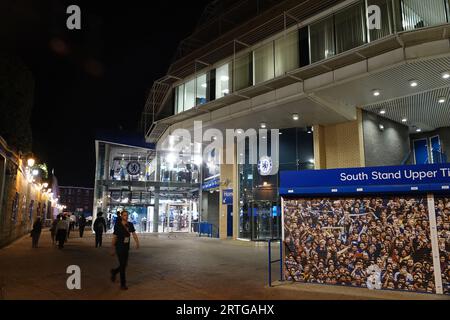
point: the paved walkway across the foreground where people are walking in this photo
(165, 267)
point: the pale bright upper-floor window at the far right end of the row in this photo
(419, 14)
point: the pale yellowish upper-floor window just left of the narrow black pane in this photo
(286, 53)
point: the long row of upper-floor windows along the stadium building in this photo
(335, 34)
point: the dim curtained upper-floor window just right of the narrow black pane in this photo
(321, 39)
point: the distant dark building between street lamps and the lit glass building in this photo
(77, 199)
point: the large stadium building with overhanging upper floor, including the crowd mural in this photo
(360, 86)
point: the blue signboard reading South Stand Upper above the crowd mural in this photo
(416, 178)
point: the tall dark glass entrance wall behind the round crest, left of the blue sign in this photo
(260, 211)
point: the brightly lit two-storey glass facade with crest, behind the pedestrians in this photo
(158, 189)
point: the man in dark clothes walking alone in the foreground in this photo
(121, 246)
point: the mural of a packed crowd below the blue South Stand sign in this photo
(370, 242)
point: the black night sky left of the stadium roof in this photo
(96, 78)
